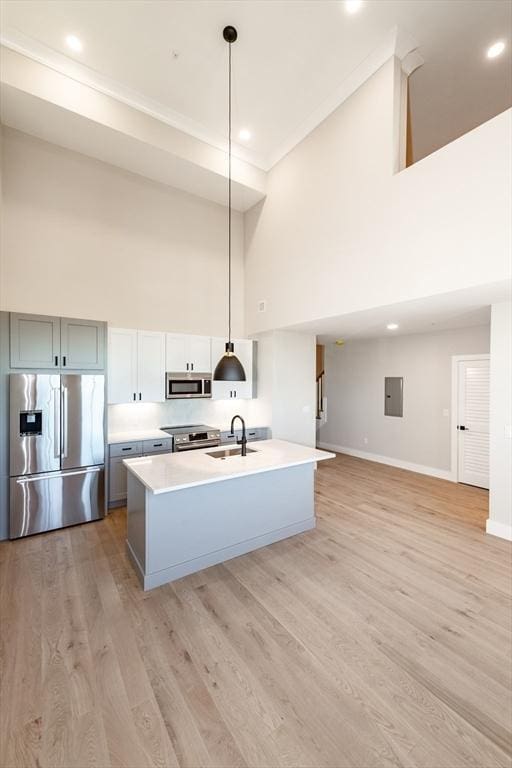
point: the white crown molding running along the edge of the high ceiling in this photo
(397, 43)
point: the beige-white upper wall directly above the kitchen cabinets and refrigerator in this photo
(81, 238)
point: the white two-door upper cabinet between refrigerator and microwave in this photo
(136, 366)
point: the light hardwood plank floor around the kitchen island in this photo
(382, 638)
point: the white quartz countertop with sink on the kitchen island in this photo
(175, 471)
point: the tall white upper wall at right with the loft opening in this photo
(339, 232)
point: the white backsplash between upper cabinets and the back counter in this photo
(215, 413)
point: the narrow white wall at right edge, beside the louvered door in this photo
(500, 500)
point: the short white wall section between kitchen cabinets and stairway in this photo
(286, 385)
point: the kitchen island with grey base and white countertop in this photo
(190, 510)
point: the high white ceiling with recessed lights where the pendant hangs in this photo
(291, 57)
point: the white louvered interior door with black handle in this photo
(473, 422)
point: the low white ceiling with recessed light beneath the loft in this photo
(458, 309)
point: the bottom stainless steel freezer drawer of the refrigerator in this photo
(55, 499)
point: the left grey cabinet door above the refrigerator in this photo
(35, 341)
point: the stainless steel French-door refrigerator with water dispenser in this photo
(57, 451)
